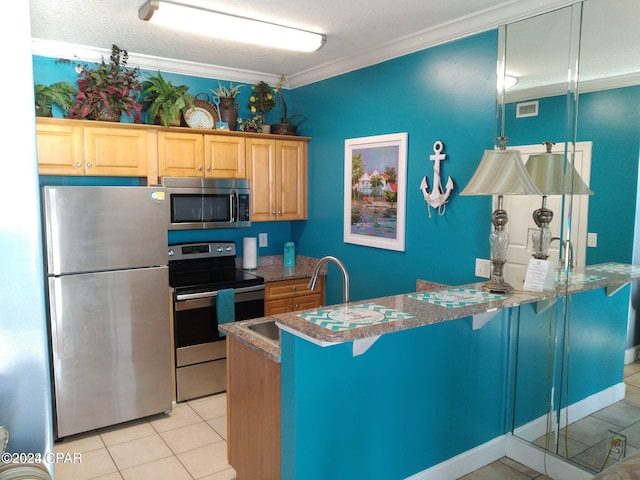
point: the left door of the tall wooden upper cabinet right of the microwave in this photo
(260, 169)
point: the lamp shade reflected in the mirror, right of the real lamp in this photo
(548, 173)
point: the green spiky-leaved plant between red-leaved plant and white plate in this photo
(163, 101)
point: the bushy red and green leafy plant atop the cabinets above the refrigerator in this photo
(108, 90)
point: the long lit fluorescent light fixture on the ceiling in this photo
(231, 27)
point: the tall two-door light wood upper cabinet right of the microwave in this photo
(277, 169)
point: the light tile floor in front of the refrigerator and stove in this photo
(189, 443)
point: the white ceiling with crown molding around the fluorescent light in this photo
(359, 33)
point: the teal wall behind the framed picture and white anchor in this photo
(444, 93)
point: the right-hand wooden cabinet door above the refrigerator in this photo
(115, 151)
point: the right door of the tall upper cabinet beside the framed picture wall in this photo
(291, 178)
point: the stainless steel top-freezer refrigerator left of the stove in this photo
(108, 300)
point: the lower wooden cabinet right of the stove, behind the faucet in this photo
(286, 296)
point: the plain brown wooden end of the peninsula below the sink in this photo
(253, 413)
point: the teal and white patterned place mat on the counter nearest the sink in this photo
(353, 316)
